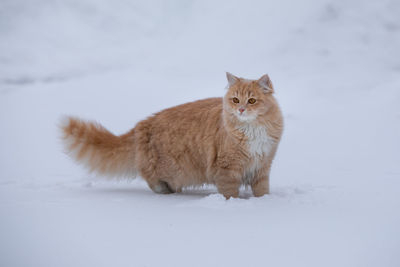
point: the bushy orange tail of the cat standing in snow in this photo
(97, 149)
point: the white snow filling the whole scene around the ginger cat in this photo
(335, 197)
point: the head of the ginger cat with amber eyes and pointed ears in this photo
(248, 99)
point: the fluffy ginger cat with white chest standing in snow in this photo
(227, 141)
